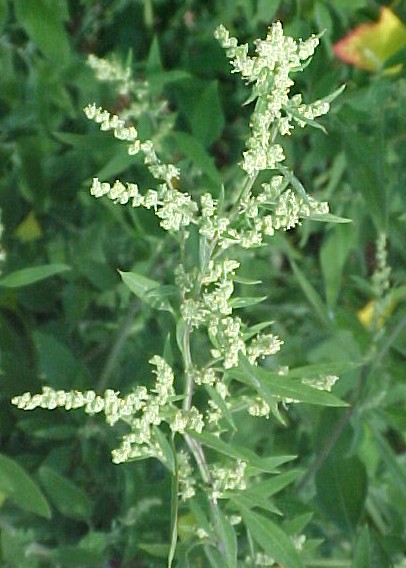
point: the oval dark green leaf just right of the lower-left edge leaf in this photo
(69, 499)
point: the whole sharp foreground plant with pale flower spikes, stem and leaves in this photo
(223, 368)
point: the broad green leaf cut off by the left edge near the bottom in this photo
(20, 488)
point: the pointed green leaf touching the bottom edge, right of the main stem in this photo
(272, 539)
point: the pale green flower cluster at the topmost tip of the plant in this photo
(276, 58)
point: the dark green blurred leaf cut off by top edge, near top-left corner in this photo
(42, 20)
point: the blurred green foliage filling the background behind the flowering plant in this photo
(80, 328)
